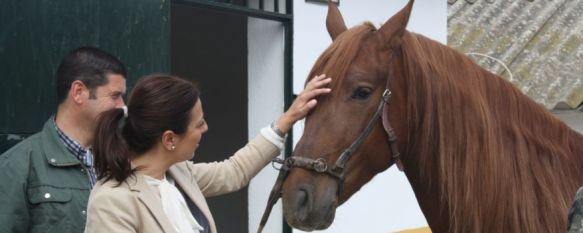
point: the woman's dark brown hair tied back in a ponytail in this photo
(157, 103)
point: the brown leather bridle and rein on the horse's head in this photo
(337, 170)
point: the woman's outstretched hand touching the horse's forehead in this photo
(305, 102)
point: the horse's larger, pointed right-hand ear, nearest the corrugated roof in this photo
(395, 27)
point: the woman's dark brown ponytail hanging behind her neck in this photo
(110, 148)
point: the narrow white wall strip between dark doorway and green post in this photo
(266, 102)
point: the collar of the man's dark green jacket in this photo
(54, 149)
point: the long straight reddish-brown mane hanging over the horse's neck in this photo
(503, 163)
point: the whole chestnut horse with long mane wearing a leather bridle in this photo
(479, 155)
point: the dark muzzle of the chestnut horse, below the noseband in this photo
(307, 207)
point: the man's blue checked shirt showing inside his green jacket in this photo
(84, 155)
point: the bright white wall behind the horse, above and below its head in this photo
(387, 203)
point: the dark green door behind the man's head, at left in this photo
(36, 35)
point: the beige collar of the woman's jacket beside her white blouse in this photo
(137, 183)
